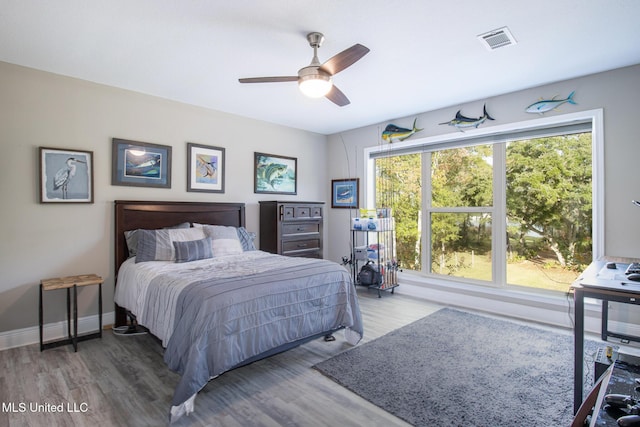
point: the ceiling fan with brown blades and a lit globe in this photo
(315, 79)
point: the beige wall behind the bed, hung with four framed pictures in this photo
(49, 240)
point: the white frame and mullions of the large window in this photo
(497, 135)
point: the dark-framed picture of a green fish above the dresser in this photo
(275, 174)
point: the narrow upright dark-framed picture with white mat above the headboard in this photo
(205, 168)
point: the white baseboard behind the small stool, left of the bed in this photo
(51, 331)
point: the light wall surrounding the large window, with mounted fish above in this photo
(616, 92)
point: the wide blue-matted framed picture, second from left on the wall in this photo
(140, 164)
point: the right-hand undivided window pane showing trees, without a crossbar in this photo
(549, 210)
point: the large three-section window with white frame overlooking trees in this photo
(518, 206)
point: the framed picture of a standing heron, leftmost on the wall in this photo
(66, 176)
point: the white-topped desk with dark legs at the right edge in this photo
(604, 284)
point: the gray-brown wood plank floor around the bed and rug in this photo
(123, 381)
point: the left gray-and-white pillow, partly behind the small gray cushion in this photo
(157, 245)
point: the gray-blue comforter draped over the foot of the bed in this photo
(220, 323)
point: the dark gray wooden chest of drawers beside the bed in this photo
(292, 228)
